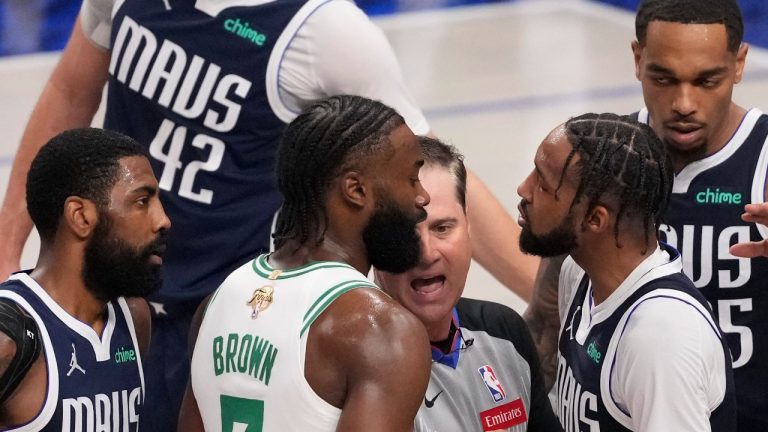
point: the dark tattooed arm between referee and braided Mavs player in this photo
(543, 316)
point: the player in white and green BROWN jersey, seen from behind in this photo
(299, 339)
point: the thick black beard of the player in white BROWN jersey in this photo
(391, 240)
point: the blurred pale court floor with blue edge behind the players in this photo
(493, 77)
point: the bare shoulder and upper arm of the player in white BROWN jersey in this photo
(370, 357)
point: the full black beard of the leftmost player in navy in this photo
(113, 268)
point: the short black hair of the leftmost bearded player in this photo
(79, 162)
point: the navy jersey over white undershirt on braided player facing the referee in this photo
(585, 399)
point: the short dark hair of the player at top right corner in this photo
(724, 12)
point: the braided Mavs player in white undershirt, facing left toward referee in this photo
(639, 348)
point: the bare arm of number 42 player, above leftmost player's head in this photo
(69, 100)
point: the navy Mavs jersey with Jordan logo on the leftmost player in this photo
(95, 382)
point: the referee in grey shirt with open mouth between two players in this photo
(485, 371)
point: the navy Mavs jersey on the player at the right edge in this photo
(704, 220)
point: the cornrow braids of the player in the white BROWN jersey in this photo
(328, 138)
